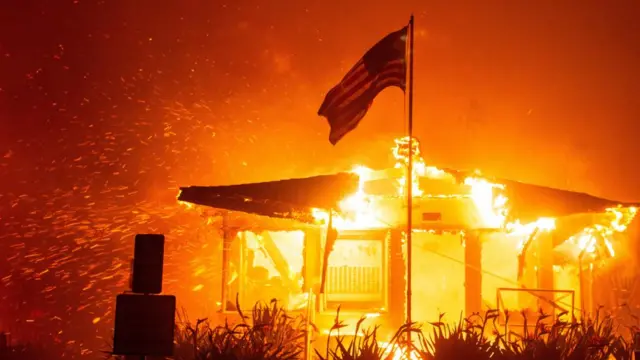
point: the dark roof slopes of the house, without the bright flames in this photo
(294, 198)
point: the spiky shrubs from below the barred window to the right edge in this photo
(593, 339)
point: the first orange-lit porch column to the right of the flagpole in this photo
(473, 272)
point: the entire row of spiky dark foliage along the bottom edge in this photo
(269, 333)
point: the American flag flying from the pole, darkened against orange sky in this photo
(382, 66)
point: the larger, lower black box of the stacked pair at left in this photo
(144, 325)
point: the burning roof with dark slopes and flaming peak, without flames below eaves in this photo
(304, 198)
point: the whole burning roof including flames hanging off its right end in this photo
(449, 201)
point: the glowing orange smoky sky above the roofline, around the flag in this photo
(542, 92)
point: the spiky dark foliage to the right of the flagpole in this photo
(563, 339)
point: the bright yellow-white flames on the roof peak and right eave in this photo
(361, 211)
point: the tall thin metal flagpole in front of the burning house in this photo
(410, 186)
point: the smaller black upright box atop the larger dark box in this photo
(148, 259)
